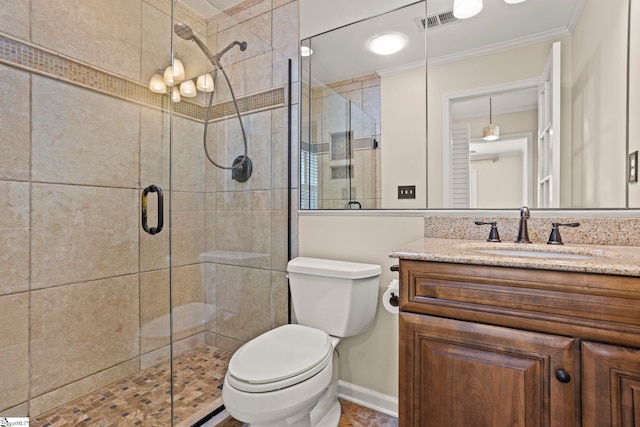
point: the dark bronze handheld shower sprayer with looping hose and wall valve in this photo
(242, 166)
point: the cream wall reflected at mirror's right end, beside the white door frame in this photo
(598, 93)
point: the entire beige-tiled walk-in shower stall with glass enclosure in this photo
(131, 266)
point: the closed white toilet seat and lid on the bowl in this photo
(280, 358)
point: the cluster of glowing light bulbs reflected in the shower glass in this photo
(174, 78)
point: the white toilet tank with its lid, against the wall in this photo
(338, 297)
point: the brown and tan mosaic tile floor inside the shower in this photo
(144, 399)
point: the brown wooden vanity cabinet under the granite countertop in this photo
(496, 346)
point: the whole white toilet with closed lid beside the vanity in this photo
(285, 377)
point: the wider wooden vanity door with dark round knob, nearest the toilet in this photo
(461, 374)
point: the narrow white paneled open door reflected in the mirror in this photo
(549, 132)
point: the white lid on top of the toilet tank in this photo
(333, 268)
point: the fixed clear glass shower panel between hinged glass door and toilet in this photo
(229, 230)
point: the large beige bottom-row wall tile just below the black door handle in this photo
(82, 329)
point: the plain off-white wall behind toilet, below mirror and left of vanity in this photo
(369, 360)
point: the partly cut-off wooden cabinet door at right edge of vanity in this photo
(610, 386)
